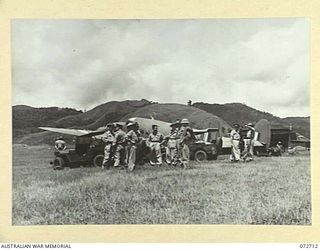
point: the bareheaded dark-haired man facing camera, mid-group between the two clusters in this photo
(154, 141)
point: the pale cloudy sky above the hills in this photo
(80, 64)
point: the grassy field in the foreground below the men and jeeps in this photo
(270, 190)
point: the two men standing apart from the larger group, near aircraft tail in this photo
(248, 143)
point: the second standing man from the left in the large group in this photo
(120, 144)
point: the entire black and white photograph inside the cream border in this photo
(161, 121)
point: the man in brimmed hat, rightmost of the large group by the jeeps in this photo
(185, 135)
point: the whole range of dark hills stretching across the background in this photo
(201, 115)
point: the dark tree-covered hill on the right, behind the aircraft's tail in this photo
(242, 114)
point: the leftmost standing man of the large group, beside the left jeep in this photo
(109, 139)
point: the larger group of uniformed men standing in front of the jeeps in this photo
(121, 147)
